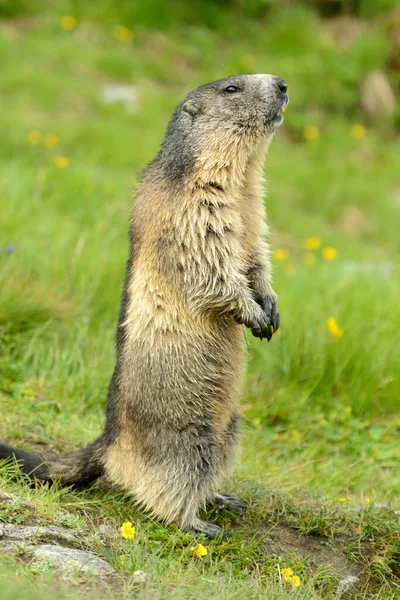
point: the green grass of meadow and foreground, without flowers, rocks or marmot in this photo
(321, 418)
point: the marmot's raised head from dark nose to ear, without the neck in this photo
(242, 104)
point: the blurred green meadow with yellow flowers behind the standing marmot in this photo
(86, 92)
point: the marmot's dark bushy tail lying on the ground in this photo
(77, 469)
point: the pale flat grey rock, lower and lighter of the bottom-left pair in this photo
(72, 561)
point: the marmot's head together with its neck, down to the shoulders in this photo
(221, 123)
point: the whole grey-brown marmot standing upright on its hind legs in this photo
(198, 268)
